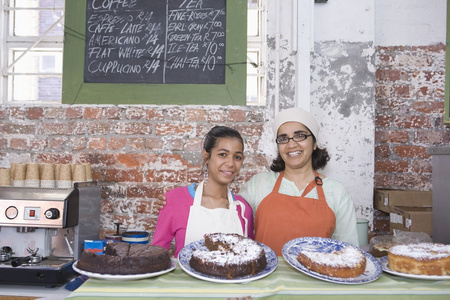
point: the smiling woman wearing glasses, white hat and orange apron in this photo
(295, 200)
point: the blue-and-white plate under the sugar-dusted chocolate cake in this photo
(185, 255)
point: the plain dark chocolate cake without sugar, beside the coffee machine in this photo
(125, 259)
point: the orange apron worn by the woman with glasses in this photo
(280, 218)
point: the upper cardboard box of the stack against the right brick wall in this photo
(386, 200)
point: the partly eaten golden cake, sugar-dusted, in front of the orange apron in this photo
(345, 263)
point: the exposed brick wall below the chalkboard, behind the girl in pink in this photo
(136, 152)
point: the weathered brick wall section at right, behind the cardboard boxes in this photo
(410, 87)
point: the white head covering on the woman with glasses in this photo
(296, 115)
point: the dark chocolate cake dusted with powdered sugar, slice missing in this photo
(229, 256)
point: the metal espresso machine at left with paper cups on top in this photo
(42, 231)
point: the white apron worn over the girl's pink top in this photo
(203, 220)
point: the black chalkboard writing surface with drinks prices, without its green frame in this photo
(157, 41)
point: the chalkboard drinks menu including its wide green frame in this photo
(155, 52)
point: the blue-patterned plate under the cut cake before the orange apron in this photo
(292, 248)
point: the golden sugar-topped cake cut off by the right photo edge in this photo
(420, 259)
